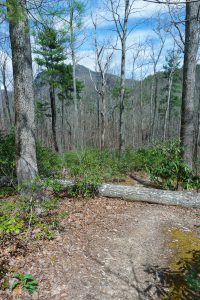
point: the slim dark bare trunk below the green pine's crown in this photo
(53, 117)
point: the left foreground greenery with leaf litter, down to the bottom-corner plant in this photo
(24, 220)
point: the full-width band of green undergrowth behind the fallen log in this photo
(161, 163)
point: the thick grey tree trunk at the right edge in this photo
(189, 68)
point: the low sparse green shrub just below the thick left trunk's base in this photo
(19, 218)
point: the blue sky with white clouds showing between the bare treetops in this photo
(144, 20)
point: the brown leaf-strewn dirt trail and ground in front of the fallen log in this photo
(110, 249)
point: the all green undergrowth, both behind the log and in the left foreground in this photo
(30, 217)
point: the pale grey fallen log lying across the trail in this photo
(138, 193)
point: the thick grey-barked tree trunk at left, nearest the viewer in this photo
(23, 91)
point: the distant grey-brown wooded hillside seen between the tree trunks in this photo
(140, 102)
